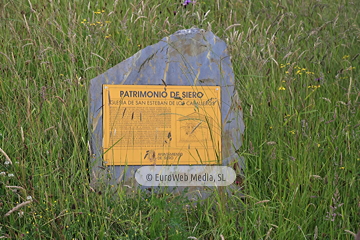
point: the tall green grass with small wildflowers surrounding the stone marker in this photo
(297, 69)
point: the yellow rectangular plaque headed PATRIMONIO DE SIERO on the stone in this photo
(161, 125)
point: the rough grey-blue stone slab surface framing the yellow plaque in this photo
(187, 57)
